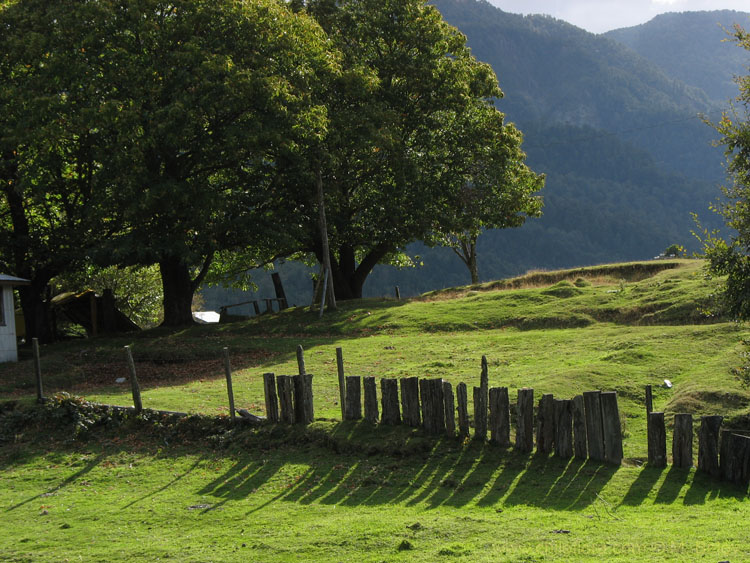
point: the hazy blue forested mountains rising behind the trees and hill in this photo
(620, 138)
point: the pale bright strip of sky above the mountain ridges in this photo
(599, 16)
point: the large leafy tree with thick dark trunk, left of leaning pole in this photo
(195, 102)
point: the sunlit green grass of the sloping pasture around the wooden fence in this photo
(328, 494)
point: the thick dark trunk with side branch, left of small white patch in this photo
(179, 289)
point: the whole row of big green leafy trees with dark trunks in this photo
(200, 135)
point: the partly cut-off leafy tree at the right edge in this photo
(732, 258)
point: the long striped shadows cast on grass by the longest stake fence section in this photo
(431, 472)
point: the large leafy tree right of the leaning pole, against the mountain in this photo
(397, 158)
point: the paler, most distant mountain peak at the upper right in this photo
(690, 46)
